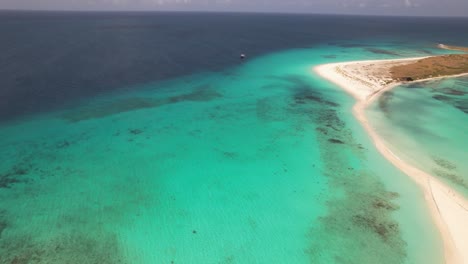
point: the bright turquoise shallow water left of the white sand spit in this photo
(259, 163)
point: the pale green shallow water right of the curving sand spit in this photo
(426, 123)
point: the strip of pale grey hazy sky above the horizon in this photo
(364, 7)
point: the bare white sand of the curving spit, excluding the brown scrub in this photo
(366, 80)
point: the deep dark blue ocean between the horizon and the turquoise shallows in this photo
(51, 59)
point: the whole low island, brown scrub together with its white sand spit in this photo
(366, 80)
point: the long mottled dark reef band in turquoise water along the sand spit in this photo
(362, 216)
